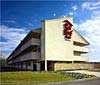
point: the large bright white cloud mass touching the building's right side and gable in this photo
(91, 30)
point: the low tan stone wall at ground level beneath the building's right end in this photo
(64, 66)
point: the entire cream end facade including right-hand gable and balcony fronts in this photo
(56, 47)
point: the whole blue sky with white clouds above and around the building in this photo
(19, 17)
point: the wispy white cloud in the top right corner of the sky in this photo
(91, 5)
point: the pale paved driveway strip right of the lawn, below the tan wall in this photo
(86, 72)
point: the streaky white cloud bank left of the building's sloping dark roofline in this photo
(12, 37)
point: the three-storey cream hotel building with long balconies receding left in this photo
(48, 48)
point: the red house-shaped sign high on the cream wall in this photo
(68, 29)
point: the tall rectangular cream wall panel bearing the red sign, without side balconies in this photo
(57, 48)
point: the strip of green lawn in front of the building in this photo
(33, 77)
